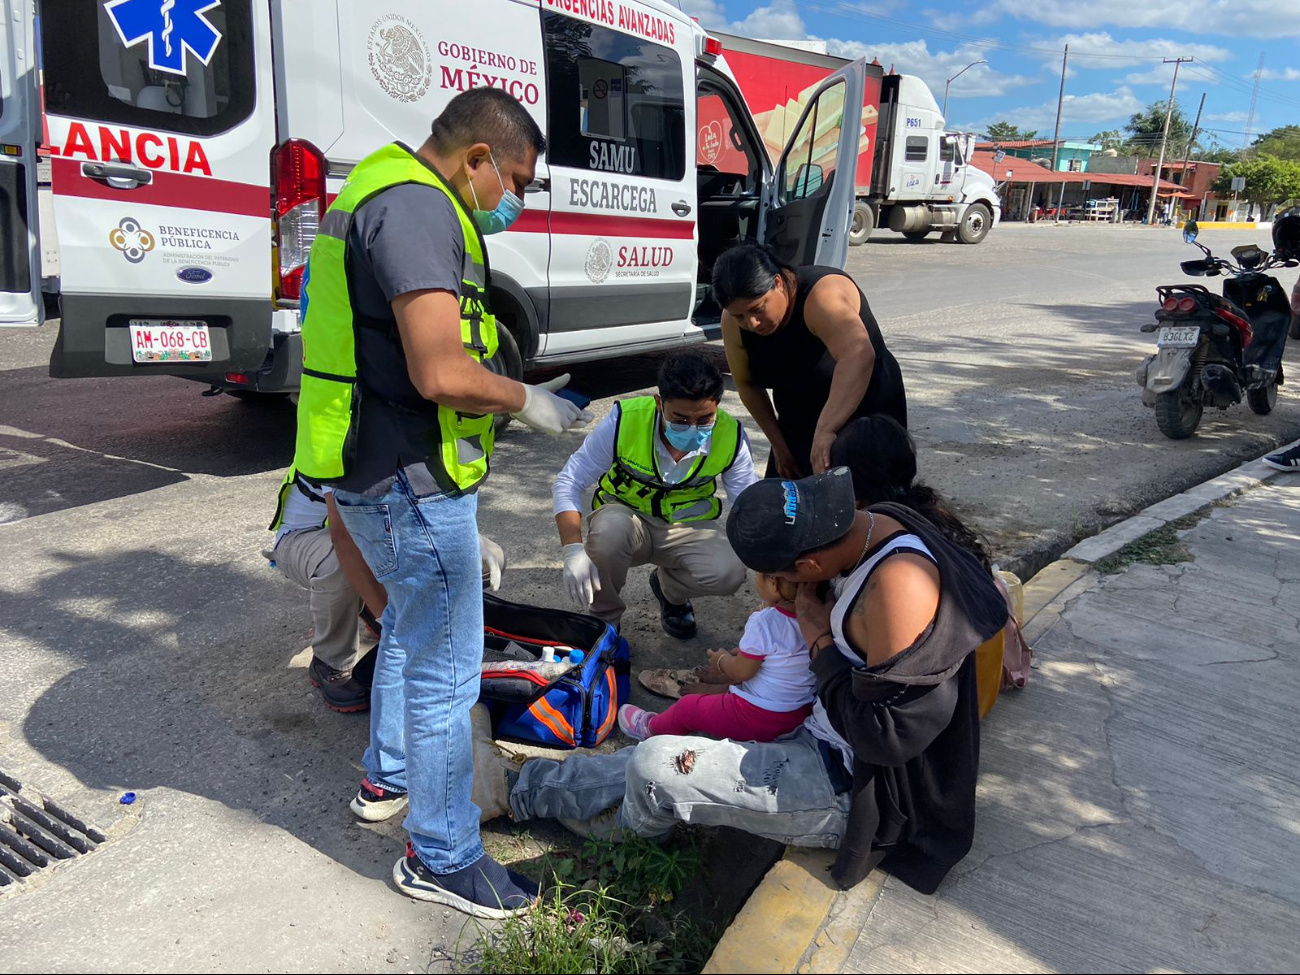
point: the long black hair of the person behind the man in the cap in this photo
(882, 458)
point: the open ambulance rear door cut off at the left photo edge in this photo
(20, 124)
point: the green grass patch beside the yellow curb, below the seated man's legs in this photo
(610, 908)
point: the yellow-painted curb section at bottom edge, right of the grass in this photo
(781, 920)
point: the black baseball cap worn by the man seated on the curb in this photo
(774, 522)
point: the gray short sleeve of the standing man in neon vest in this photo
(410, 237)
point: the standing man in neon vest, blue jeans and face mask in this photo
(397, 413)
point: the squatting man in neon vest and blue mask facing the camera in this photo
(656, 463)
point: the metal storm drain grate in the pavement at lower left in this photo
(37, 833)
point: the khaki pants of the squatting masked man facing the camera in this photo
(694, 560)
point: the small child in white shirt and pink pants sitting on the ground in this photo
(772, 686)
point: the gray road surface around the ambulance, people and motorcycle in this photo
(148, 647)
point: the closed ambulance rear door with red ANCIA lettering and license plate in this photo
(162, 123)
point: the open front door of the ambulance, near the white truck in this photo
(808, 206)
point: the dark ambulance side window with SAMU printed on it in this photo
(616, 102)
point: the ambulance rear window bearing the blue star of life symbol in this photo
(159, 81)
